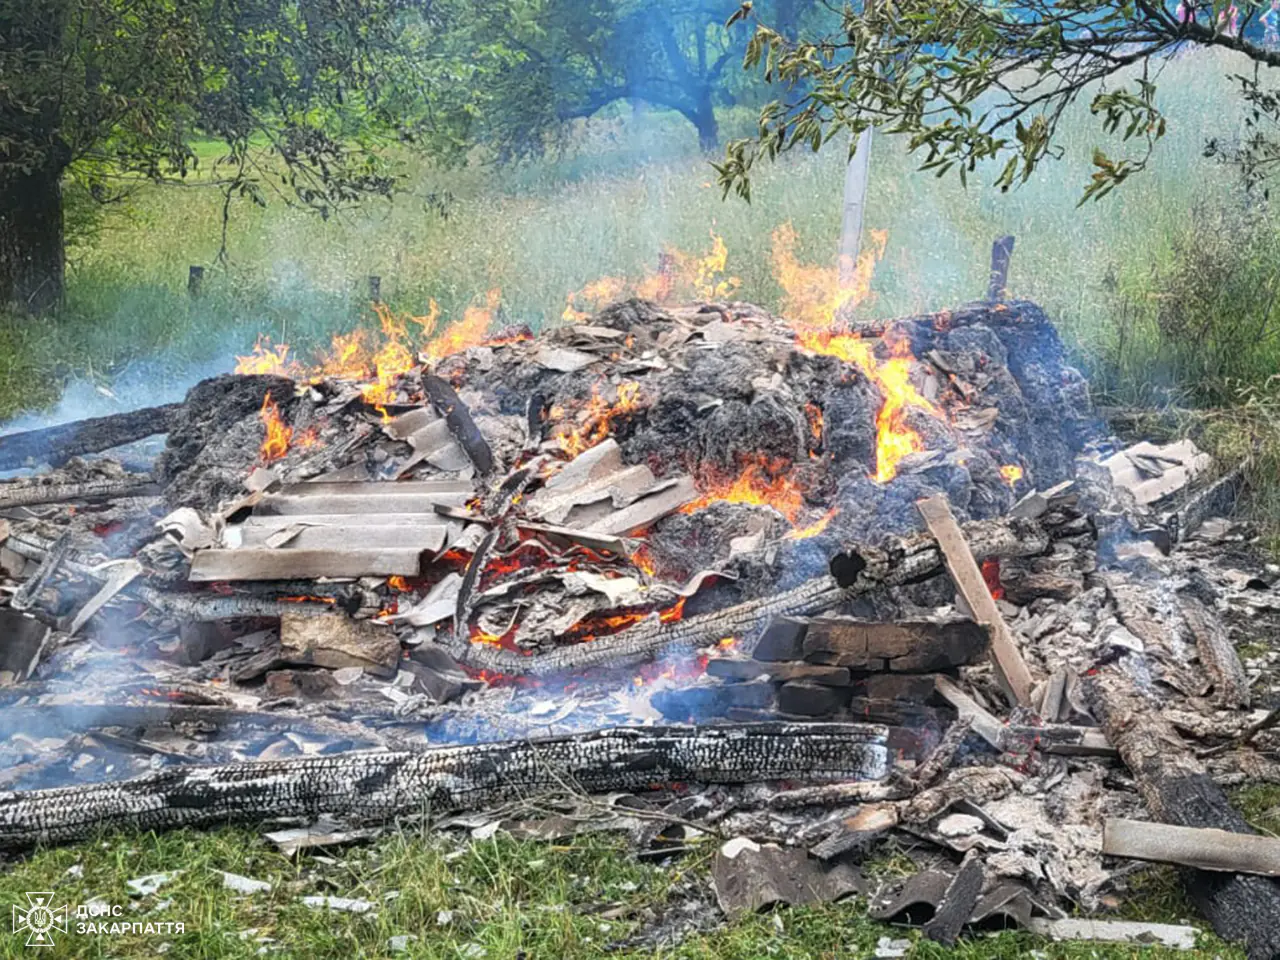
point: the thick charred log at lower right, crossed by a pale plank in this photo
(1178, 790)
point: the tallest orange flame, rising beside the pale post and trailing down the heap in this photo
(816, 300)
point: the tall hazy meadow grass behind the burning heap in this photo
(1164, 289)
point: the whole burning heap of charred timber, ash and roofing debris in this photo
(886, 582)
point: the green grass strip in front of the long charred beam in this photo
(496, 898)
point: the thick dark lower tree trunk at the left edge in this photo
(31, 240)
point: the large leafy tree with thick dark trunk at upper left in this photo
(108, 92)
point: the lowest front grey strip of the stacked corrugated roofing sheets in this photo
(264, 564)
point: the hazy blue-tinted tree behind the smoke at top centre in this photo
(537, 65)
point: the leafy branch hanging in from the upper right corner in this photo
(972, 83)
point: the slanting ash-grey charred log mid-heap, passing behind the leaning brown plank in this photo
(856, 572)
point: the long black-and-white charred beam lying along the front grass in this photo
(381, 787)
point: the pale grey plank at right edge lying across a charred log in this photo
(1203, 848)
